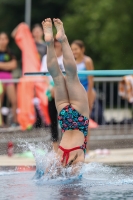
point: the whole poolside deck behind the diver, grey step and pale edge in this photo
(119, 141)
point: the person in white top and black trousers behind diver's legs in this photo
(50, 94)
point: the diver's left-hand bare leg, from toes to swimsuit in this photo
(61, 95)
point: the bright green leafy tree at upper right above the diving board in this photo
(106, 28)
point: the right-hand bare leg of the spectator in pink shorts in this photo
(11, 94)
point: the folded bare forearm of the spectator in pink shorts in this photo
(7, 66)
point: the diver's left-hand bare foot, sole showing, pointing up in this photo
(47, 28)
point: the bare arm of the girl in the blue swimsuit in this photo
(90, 66)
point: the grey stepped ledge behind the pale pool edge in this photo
(110, 137)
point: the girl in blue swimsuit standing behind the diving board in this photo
(84, 62)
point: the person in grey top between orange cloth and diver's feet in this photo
(37, 33)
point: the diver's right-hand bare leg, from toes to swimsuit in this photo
(77, 94)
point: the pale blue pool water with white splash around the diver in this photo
(92, 182)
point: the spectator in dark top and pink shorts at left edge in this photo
(8, 63)
